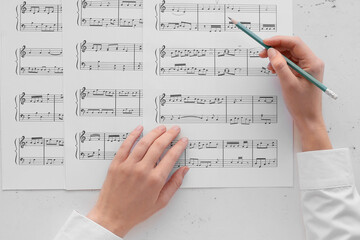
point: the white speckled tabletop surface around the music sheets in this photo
(332, 29)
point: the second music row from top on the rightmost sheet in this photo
(210, 62)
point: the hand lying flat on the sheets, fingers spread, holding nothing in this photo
(135, 187)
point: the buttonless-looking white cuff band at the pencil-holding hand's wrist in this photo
(325, 169)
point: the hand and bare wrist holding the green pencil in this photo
(303, 99)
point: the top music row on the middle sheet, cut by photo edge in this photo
(114, 13)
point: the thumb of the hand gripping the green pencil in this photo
(279, 64)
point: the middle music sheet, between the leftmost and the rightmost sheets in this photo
(103, 84)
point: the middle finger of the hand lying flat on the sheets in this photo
(159, 146)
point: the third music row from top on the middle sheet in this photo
(109, 103)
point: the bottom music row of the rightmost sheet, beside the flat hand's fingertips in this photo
(230, 154)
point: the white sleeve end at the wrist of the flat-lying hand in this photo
(78, 227)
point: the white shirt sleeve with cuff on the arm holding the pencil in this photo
(330, 202)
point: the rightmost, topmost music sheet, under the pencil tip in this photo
(203, 74)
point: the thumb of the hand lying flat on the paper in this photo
(171, 187)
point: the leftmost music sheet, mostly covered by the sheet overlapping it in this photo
(32, 95)
